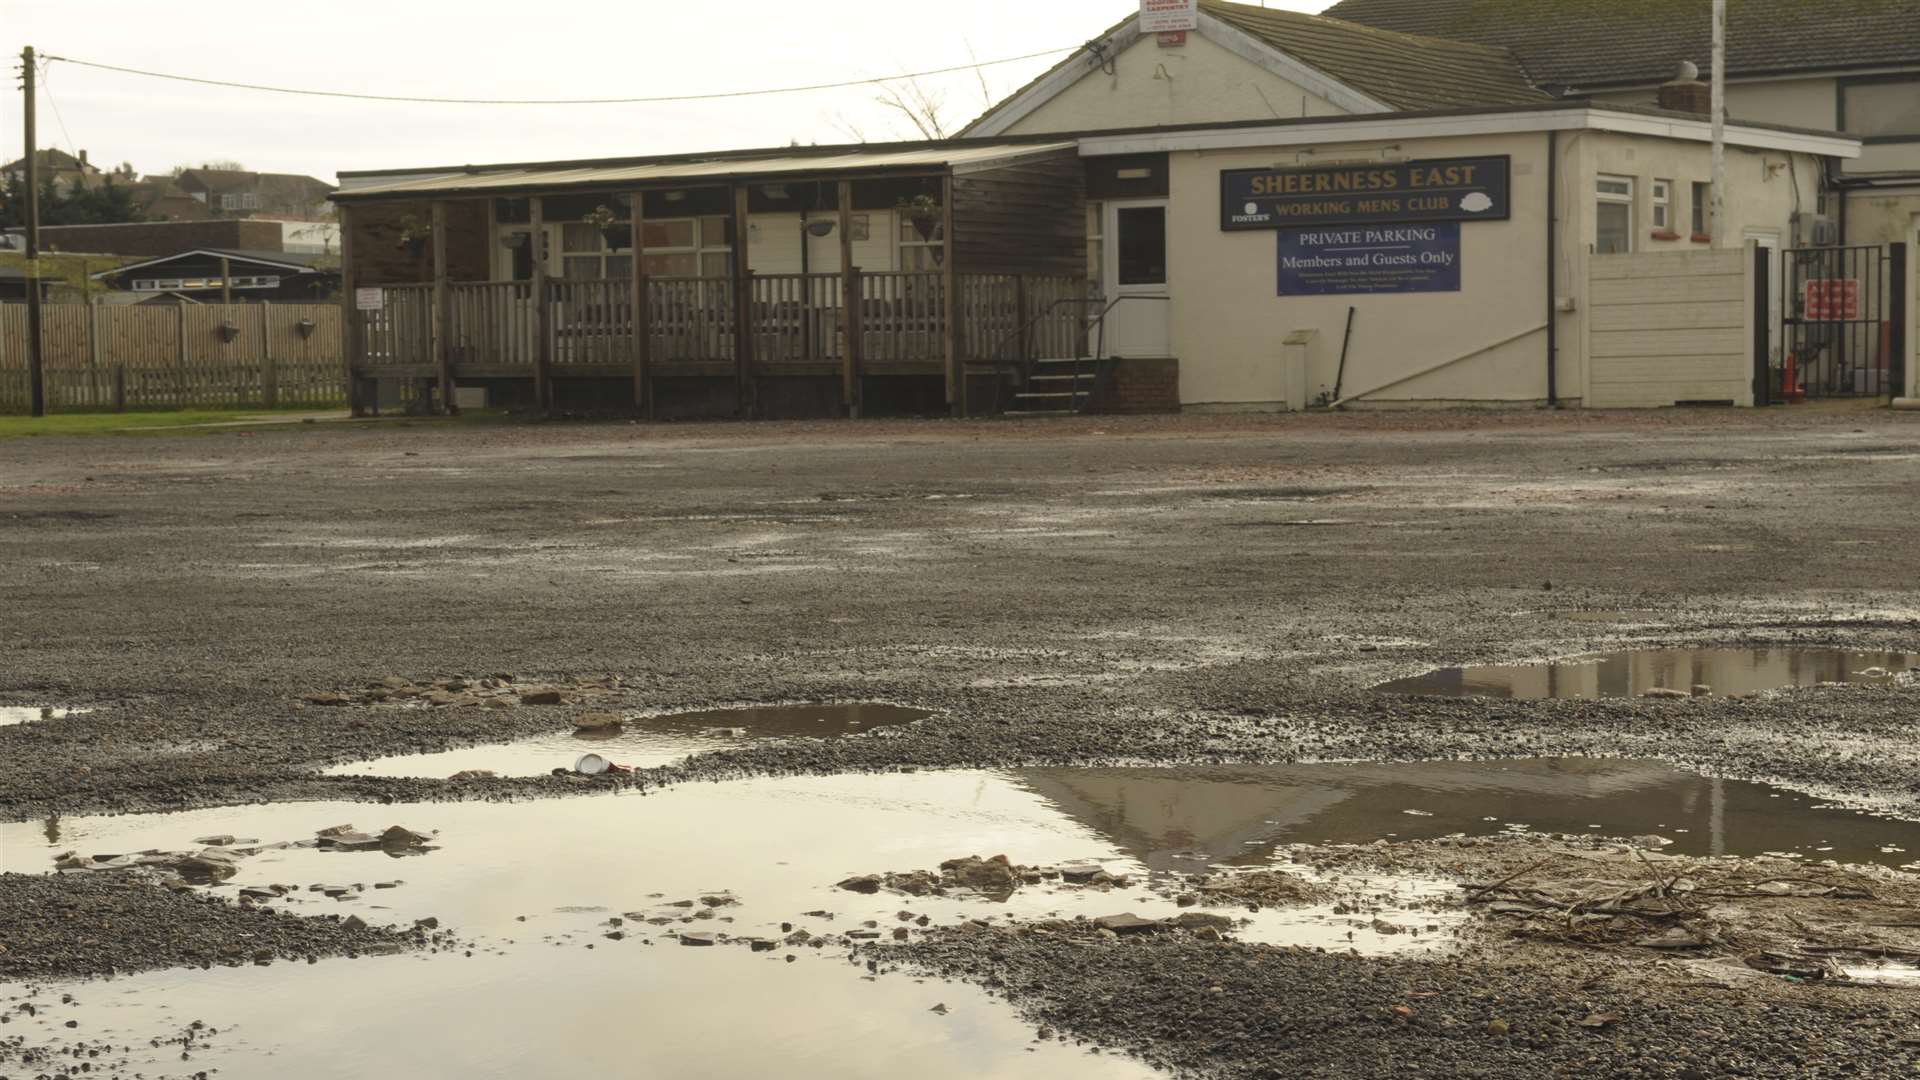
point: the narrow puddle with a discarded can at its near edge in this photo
(642, 743)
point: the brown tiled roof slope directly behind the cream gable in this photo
(1403, 70)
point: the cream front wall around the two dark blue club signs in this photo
(1228, 320)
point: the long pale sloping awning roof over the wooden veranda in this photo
(692, 170)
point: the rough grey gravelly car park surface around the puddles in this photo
(1067, 593)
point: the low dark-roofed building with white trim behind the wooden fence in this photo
(216, 276)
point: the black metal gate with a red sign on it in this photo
(1844, 324)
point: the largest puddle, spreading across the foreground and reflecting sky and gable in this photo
(548, 993)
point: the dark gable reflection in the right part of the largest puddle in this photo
(1241, 816)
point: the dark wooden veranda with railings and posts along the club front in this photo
(1003, 282)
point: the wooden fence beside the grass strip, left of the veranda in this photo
(176, 356)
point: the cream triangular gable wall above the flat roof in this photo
(1151, 86)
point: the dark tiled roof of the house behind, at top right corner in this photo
(1596, 43)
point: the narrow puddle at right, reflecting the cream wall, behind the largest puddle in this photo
(1635, 674)
